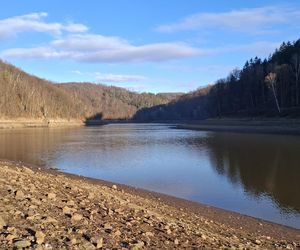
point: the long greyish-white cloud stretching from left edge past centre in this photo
(98, 48)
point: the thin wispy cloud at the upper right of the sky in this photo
(255, 20)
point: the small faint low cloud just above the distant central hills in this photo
(115, 78)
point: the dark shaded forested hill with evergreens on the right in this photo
(264, 88)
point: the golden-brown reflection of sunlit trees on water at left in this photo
(30, 145)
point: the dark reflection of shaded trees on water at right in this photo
(263, 164)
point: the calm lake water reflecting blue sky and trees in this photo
(253, 174)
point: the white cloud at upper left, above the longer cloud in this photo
(35, 22)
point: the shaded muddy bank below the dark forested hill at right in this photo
(268, 126)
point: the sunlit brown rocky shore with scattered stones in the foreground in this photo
(42, 209)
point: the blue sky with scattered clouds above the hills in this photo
(144, 46)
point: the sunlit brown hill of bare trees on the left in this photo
(26, 96)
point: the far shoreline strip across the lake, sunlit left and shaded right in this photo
(245, 125)
